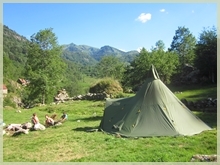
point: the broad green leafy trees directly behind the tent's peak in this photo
(165, 63)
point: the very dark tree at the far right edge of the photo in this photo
(206, 53)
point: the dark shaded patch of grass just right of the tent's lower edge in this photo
(209, 118)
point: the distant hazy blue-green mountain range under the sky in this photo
(90, 55)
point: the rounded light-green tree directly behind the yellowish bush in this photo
(110, 66)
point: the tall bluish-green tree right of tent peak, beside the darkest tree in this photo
(183, 44)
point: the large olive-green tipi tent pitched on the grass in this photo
(153, 111)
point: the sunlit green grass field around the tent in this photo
(71, 142)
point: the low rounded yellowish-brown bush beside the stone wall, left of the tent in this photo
(107, 85)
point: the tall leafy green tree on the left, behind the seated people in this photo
(44, 66)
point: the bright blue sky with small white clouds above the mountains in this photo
(126, 26)
